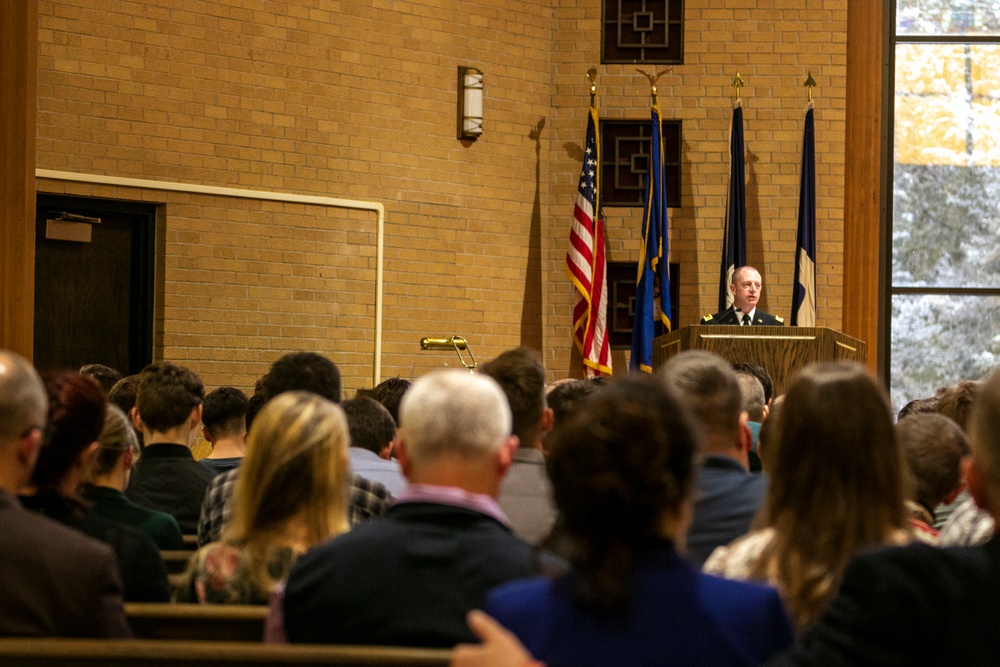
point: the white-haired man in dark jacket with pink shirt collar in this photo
(410, 578)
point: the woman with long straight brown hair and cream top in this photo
(836, 488)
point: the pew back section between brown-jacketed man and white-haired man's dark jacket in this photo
(217, 622)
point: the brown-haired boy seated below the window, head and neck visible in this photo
(933, 447)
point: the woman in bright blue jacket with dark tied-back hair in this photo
(623, 474)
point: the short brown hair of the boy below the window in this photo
(933, 446)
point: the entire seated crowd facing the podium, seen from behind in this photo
(690, 517)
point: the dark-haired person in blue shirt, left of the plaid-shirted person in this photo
(223, 423)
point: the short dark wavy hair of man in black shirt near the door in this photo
(167, 394)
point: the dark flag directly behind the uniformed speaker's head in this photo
(734, 243)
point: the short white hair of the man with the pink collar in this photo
(454, 413)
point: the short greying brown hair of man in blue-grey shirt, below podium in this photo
(706, 384)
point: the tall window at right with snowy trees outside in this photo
(945, 286)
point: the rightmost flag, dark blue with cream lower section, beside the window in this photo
(804, 293)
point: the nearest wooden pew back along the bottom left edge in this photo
(51, 652)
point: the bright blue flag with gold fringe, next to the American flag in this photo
(653, 274)
